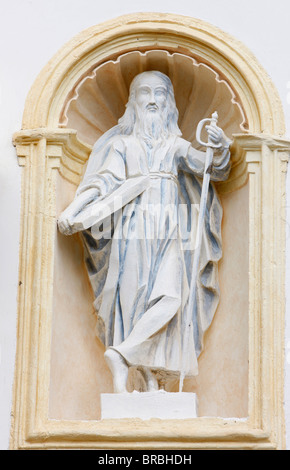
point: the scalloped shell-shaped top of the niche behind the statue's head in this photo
(98, 100)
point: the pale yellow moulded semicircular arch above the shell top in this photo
(147, 31)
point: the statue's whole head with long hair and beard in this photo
(151, 109)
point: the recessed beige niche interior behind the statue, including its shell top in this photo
(94, 105)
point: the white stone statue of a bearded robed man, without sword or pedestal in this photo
(137, 209)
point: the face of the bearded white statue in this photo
(151, 94)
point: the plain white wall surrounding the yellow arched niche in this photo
(31, 31)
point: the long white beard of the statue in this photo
(150, 126)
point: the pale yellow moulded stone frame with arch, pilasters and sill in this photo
(260, 158)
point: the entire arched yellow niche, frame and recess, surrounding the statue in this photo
(81, 93)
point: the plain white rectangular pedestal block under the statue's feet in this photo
(147, 405)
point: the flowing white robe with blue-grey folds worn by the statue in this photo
(140, 266)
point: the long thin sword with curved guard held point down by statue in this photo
(203, 199)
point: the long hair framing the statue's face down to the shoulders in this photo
(128, 120)
